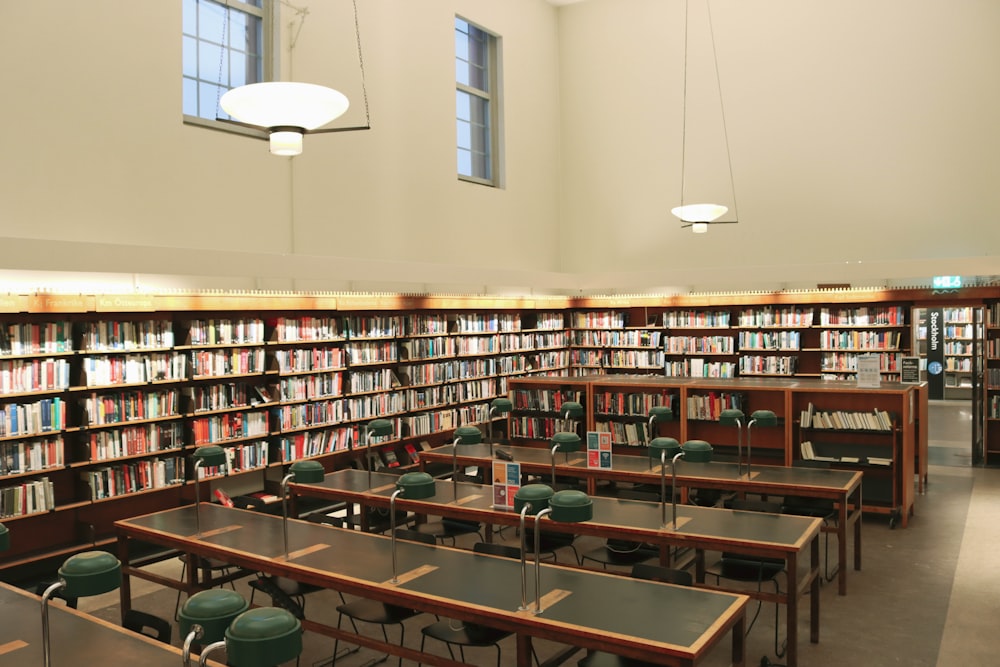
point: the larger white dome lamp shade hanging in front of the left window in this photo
(286, 109)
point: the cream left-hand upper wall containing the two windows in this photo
(96, 157)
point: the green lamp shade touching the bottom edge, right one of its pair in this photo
(263, 637)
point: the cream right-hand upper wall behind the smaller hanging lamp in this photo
(863, 136)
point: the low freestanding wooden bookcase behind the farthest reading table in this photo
(880, 431)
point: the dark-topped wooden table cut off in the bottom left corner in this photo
(76, 638)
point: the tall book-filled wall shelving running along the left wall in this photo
(103, 400)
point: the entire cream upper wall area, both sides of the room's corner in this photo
(864, 141)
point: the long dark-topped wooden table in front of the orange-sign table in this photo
(579, 608)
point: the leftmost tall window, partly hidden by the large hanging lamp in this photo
(225, 46)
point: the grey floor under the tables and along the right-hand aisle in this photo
(927, 595)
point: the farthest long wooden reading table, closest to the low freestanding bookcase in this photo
(841, 486)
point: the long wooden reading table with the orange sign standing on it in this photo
(699, 528)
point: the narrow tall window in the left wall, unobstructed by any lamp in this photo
(477, 103)
